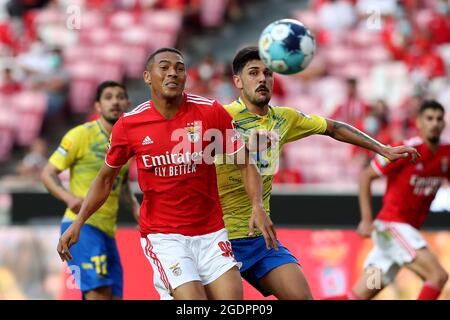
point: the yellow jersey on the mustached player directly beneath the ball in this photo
(290, 125)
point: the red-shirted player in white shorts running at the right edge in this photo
(411, 188)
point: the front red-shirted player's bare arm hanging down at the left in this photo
(96, 196)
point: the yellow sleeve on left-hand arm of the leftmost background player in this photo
(69, 150)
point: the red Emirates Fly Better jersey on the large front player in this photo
(176, 172)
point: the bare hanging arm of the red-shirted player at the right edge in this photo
(365, 227)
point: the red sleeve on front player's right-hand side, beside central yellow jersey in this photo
(232, 141)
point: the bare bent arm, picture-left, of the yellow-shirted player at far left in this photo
(50, 179)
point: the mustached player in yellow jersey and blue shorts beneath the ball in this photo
(272, 271)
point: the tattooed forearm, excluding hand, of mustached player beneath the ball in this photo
(346, 133)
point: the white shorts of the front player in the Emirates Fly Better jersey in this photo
(177, 259)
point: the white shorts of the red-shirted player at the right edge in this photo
(395, 244)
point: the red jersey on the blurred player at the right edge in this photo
(411, 187)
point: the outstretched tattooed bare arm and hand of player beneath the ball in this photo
(346, 133)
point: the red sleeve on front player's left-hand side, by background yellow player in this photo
(119, 150)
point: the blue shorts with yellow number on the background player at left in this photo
(96, 256)
